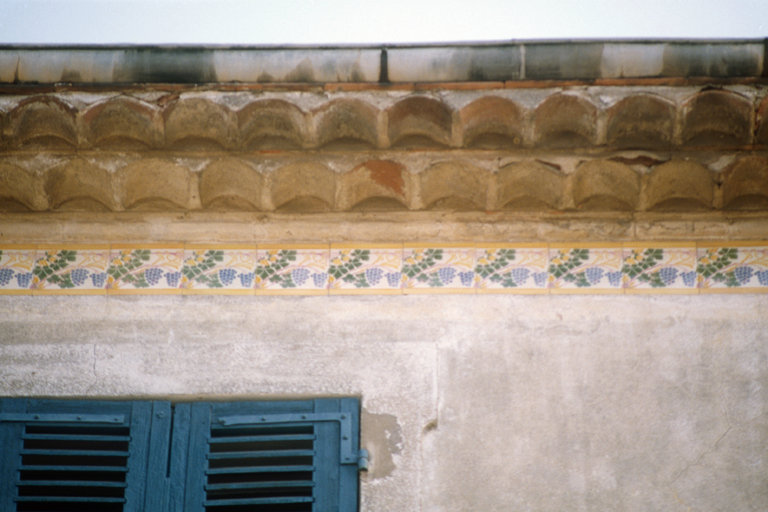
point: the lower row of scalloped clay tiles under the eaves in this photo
(618, 181)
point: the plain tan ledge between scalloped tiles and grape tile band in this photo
(388, 227)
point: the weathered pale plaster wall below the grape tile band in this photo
(531, 403)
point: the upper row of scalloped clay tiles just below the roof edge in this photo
(213, 119)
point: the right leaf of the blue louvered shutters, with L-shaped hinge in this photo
(276, 456)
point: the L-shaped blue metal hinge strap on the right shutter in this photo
(348, 454)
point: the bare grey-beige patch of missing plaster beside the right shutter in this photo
(383, 438)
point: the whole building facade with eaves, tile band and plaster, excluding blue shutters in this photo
(541, 267)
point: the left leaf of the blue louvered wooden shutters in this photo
(62, 455)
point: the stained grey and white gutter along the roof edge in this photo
(391, 63)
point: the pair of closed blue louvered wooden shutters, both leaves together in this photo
(59, 455)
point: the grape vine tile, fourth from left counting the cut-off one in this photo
(218, 269)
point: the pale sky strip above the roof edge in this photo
(318, 22)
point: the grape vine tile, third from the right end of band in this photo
(585, 268)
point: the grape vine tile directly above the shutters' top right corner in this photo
(369, 268)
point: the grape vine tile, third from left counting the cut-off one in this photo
(144, 268)
